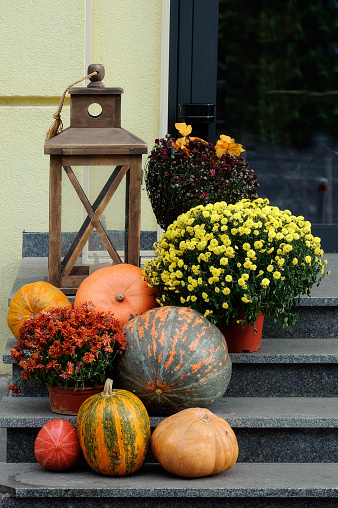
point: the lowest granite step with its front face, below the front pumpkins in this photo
(246, 485)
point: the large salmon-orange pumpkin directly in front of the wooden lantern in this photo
(119, 289)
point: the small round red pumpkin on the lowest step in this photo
(57, 446)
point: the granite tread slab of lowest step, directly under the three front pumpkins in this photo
(255, 480)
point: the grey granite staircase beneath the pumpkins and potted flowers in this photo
(282, 403)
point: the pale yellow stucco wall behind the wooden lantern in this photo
(42, 51)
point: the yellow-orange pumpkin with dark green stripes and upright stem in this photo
(114, 431)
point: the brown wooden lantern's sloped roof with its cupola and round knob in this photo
(91, 134)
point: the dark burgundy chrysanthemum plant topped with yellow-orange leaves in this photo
(188, 171)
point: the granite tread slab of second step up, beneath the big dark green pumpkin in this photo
(239, 412)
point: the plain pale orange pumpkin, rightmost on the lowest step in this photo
(194, 443)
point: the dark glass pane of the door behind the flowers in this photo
(278, 96)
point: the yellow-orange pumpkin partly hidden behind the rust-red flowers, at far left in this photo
(30, 300)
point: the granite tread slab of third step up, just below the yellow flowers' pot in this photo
(283, 350)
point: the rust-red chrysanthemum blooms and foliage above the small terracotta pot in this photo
(68, 347)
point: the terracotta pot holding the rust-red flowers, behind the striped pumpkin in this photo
(67, 401)
